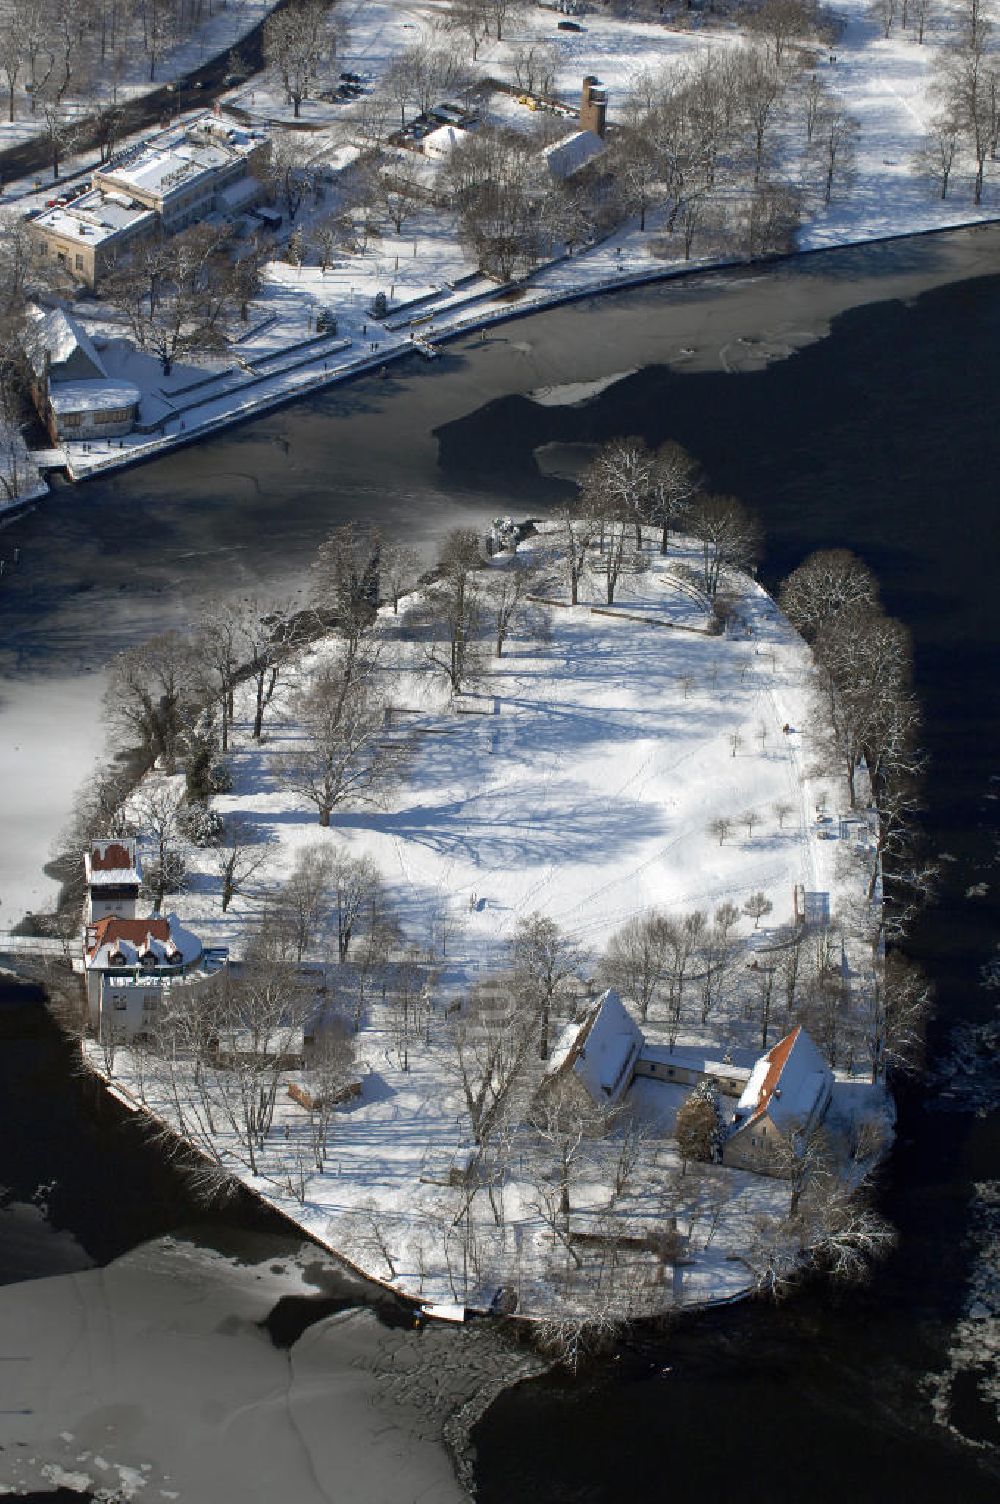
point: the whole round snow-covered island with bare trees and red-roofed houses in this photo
(571, 1001)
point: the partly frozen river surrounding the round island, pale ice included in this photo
(852, 399)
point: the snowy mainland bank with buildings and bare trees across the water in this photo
(339, 210)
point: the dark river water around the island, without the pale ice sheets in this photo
(882, 434)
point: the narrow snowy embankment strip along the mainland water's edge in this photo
(431, 341)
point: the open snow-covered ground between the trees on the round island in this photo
(581, 783)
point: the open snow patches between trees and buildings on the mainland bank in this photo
(885, 85)
